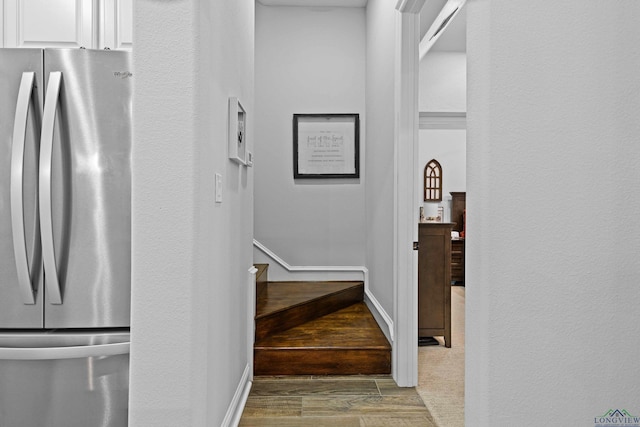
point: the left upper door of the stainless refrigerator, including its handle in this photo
(21, 290)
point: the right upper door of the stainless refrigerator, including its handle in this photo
(85, 188)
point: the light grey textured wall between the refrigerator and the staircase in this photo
(190, 255)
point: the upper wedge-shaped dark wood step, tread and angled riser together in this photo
(285, 305)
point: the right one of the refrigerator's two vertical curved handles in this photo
(44, 183)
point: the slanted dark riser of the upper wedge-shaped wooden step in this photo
(294, 316)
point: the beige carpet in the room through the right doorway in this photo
(441, 370)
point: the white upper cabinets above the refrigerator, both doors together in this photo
(92, 24)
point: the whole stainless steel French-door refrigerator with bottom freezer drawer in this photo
(65, 247)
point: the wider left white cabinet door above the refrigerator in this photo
(49, 23)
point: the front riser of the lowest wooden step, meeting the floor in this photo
(322, 362)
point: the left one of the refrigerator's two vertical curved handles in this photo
(25, 92)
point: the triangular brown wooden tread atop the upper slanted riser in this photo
(280, 296)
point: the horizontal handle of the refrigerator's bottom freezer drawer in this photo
(72, 352)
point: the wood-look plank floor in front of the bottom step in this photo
(352, 401)
